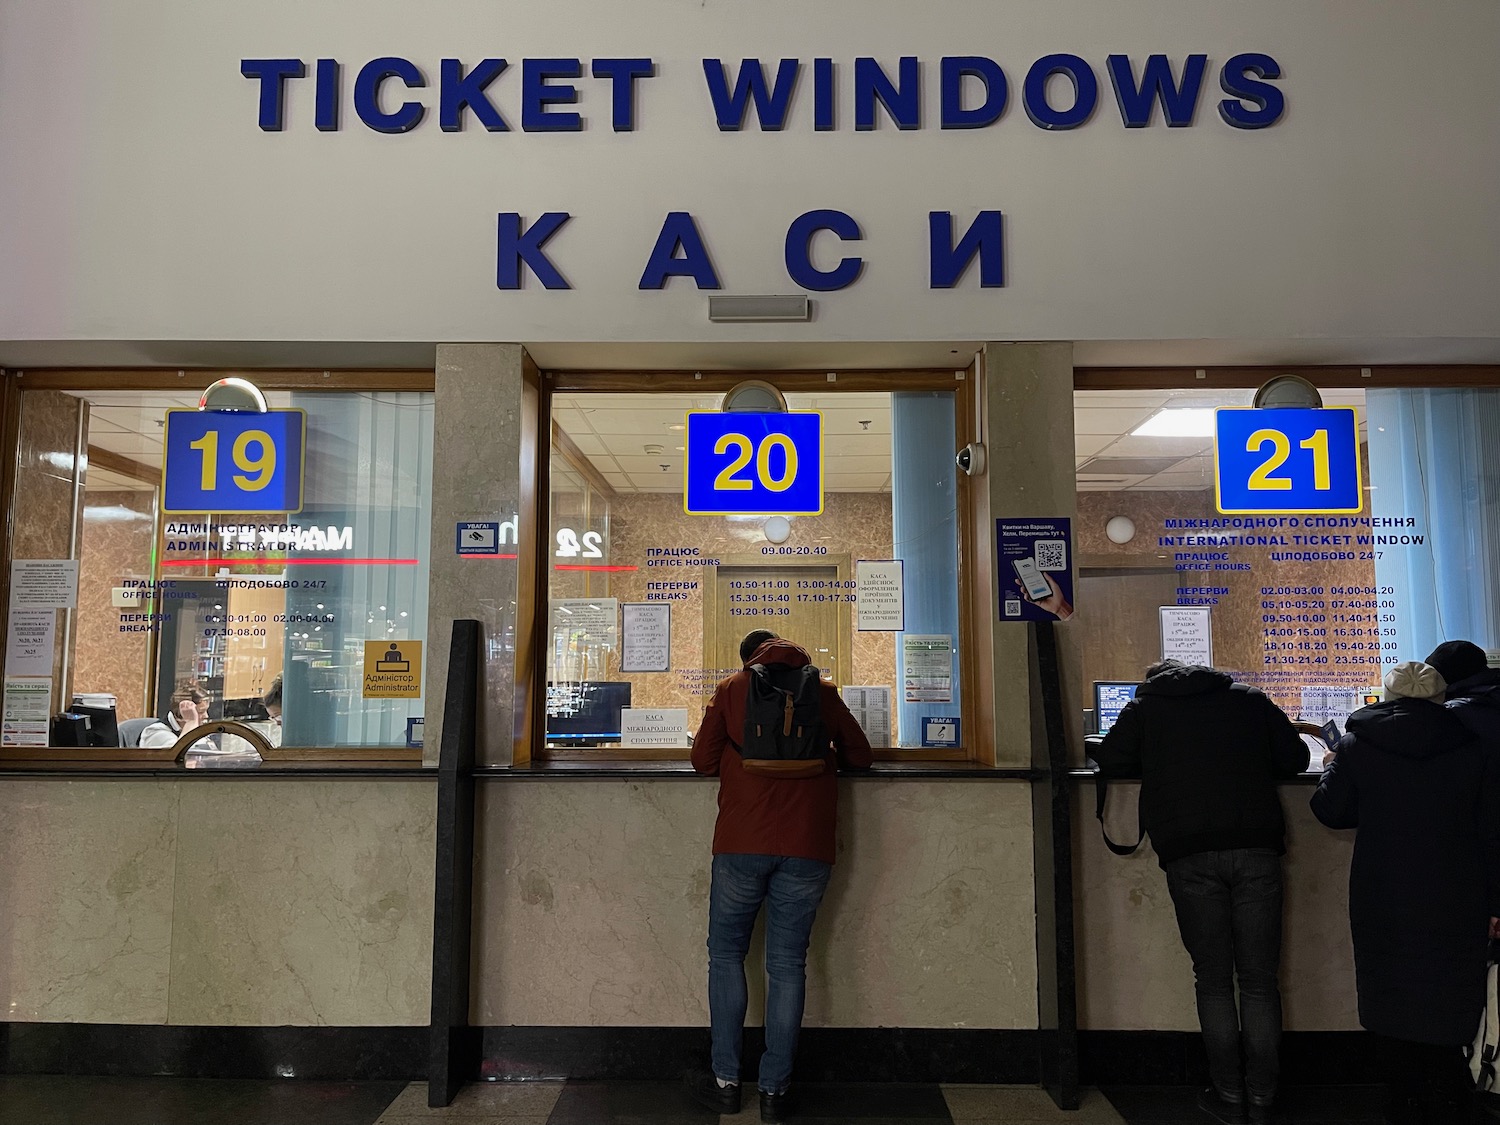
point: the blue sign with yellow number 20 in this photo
(754, 464)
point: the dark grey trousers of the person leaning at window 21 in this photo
(1229, 914)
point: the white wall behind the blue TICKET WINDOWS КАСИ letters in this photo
(140, 200)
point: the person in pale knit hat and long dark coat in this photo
(1423, 887)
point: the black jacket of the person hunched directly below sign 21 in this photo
(1210, 754)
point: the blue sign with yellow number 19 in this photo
(233, 464)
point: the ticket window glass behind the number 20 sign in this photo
(649, 604)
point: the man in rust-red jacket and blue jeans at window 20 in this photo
(775, 845)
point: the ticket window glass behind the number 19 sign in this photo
(268, 619)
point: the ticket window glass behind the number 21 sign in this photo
(1310, 608)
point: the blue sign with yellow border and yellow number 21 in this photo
(1288, 461)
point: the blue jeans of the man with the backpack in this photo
(791, 890)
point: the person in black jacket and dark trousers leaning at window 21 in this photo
(1210, 754)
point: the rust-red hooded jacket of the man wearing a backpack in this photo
(775, 815)
